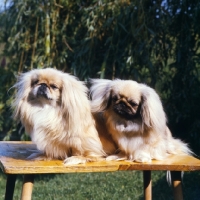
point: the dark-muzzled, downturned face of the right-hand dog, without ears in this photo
(125, 100)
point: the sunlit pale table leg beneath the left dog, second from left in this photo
(27, 187)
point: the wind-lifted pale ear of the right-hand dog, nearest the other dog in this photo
(100, 92)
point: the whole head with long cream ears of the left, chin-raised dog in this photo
(44, 90)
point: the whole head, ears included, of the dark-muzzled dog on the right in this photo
(126, 100)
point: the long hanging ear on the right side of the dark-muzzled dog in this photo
(152, 112)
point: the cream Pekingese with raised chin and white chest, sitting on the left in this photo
(54, 109)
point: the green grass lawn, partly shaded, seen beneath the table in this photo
(104, 186)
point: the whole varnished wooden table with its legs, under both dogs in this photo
(13, 161)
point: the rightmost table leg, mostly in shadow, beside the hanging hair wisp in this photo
(177, 185)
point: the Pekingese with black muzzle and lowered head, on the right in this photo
(131, 120)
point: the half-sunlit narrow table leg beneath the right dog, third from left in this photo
(147, 185)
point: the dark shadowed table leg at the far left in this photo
(10, 186)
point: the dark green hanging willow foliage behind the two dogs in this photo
(156, 42)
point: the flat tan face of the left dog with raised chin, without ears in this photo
(46, 87)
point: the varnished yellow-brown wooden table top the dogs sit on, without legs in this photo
(13, 161)
